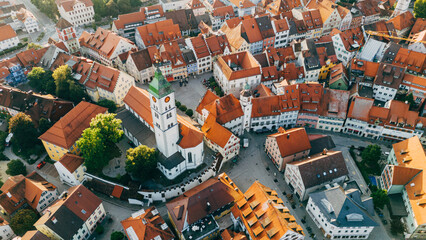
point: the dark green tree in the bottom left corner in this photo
(23, 221)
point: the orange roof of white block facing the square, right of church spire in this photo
(248, 65)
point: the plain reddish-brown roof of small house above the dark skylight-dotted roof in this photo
(291, 141)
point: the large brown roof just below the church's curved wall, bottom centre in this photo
(191, 206)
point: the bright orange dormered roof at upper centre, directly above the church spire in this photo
(159, 32)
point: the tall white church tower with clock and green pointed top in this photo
(163, 109)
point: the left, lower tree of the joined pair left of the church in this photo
(92, 148)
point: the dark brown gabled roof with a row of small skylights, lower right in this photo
(321, 168)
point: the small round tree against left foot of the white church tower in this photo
(141, 161)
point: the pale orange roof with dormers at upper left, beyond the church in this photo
(102, 41)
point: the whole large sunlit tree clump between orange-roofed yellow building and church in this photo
(97, 141)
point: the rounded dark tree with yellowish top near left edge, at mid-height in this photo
(24, 132)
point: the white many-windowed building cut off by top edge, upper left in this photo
(78, 12)
